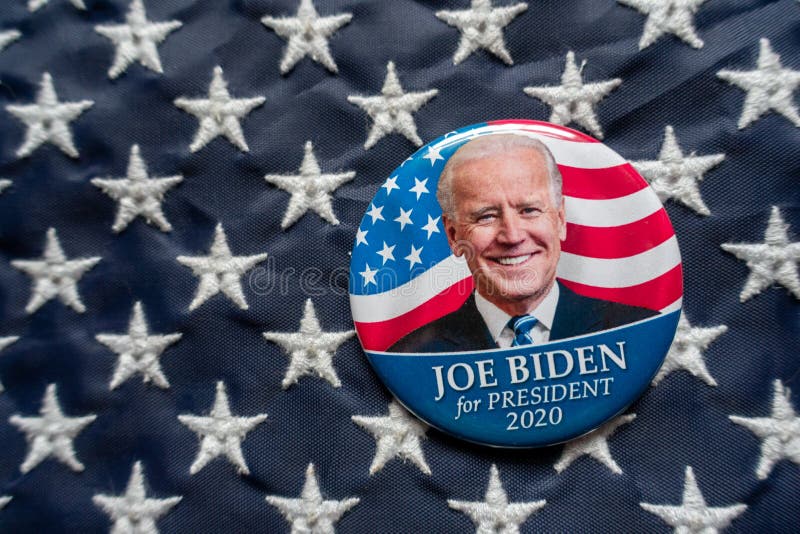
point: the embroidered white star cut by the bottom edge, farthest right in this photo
(693, 514)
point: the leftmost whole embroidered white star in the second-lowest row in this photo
(51, 434)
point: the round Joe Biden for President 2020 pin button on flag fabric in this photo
(515, 283)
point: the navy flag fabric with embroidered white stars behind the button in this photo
(201, 372)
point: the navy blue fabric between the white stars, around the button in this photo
(680, 422)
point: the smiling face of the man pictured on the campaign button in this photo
(507, 227)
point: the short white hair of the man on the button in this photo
(488, 145)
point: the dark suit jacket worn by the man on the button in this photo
(464, 329)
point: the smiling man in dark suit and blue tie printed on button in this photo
(503, 211)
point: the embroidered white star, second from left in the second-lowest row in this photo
(221, 433)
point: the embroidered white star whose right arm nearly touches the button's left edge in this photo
(310, 349)
